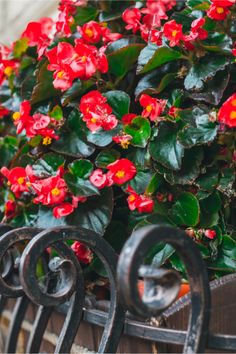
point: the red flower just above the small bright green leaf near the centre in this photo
(153, 107)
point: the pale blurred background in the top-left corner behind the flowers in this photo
(15, 14)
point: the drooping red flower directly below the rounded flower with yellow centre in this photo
(142, 203)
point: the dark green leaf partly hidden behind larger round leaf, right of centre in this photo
(190, 169)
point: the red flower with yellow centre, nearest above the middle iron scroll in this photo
(50, 191)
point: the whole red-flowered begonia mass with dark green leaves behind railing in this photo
(123, 113)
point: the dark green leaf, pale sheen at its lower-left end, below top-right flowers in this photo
(204, 70)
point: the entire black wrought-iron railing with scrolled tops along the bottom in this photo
(64, 284)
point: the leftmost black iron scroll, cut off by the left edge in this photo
(6, 242)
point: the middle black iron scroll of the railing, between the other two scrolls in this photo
(71, 284)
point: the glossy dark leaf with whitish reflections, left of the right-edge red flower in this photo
(199, 130)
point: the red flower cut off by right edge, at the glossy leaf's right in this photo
(227, 113)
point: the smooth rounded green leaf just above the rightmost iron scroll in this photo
(186, 210)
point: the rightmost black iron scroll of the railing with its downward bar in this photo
(129, 263)
